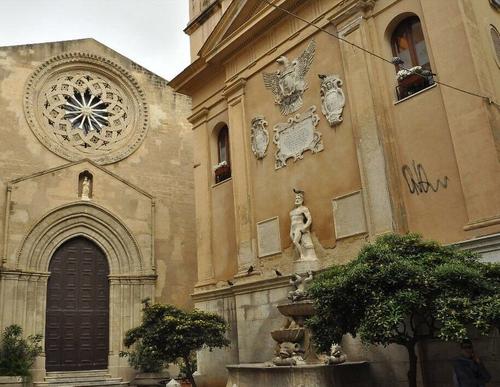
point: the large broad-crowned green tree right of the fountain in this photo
(402, 290)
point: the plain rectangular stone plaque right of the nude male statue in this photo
(349, 215)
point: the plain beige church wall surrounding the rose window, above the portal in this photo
(162, 166)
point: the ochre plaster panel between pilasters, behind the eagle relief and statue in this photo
(323, 176)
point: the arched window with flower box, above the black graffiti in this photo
(408, 44)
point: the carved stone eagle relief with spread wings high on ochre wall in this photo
(288, 83)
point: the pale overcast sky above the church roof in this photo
(147, 31)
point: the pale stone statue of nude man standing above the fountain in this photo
(300, 228)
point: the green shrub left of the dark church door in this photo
(17, 355)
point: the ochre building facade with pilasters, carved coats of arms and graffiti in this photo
(393, 157)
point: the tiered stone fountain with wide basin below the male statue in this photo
(296, 362)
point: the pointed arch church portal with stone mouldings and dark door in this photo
(80, 277)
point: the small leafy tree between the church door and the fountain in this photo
(170, 335)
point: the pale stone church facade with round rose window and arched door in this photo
(97, 203)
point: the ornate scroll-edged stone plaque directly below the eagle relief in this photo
(296, 137)
